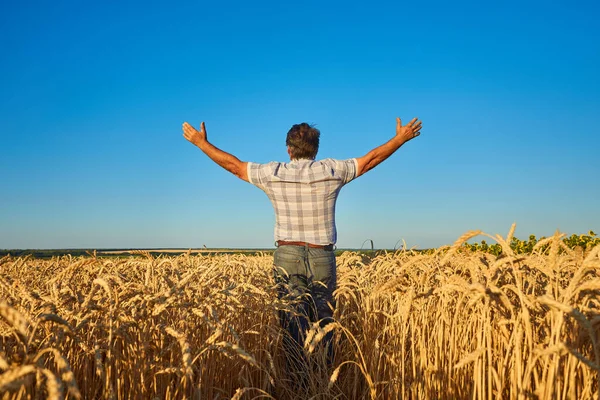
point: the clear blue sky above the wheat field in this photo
(94, 95)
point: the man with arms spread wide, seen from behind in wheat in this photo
(303, 193)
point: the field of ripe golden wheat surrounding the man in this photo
(448, 325)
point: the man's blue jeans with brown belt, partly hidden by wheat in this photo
(307, 278)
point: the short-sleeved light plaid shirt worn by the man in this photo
(303, 194)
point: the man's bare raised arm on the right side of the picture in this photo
(378, 154)
